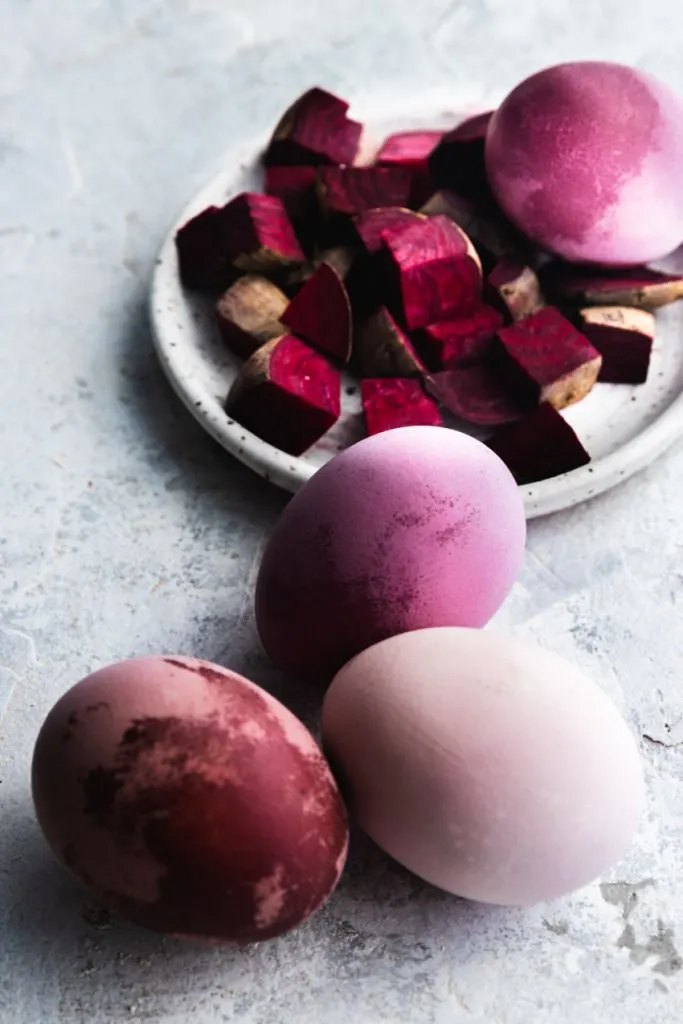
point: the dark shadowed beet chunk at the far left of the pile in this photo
(202, 249)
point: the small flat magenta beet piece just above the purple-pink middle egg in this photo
(400, 403)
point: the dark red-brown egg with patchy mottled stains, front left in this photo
(190, 799)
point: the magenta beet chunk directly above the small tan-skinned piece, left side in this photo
(260, 234)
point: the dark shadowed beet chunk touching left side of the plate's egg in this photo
(458, 162)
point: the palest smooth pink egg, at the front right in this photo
(491, 769)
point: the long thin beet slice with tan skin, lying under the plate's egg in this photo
(641, 287)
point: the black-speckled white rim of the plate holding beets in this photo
(290, 473)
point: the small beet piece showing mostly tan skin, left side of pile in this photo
(249, 314)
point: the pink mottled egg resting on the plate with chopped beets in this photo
(587, 160)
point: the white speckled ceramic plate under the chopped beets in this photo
(623, 429)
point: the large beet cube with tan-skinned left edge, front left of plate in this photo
(287, 394)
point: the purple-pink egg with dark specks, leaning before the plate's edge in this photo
(413, 528)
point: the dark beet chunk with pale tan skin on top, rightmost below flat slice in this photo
(624, 337)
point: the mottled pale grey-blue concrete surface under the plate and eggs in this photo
(126, 531)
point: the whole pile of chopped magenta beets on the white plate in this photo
(407, 273)
